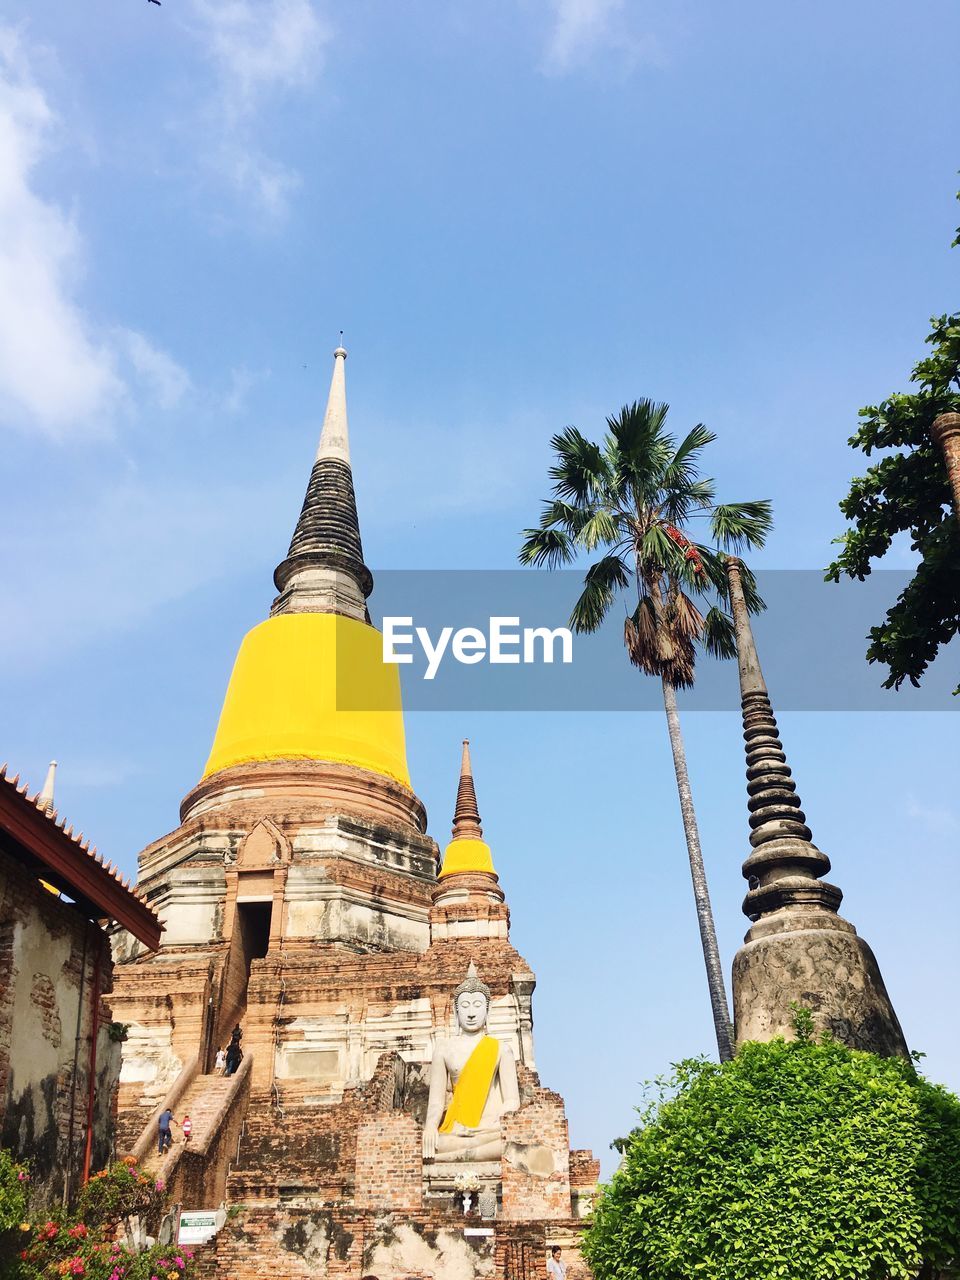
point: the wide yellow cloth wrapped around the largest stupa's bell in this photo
(295, 684)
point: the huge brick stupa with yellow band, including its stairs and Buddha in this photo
(385, 1017)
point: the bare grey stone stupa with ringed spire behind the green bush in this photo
(799, 949)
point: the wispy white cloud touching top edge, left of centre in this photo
(260, 49)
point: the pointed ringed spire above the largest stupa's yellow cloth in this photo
(324, 570)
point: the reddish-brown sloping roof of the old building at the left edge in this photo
(34, 834)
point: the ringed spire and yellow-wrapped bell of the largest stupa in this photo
(310, 683)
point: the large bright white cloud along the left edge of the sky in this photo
(60, 371)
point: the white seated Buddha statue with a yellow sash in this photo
(479, 1073)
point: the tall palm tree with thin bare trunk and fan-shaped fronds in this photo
(636, 496)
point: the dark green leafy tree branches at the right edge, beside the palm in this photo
(908, 491)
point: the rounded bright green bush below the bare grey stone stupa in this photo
(797, 1159)
